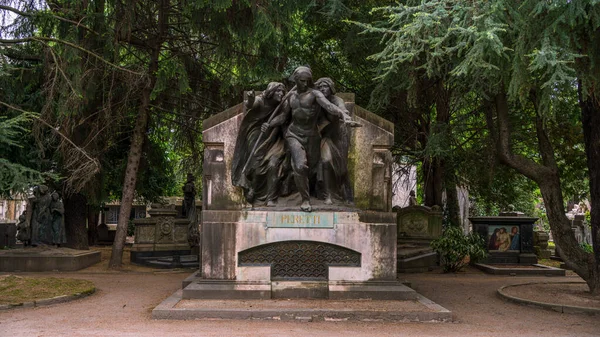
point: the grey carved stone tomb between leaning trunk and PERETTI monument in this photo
(161, 234)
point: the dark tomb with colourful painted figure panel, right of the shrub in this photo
(508, 237)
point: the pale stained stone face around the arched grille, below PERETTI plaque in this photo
(223, 241)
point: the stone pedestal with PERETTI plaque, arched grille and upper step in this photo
(262, 254)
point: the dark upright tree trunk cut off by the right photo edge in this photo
(590, 118)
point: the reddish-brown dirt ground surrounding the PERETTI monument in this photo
(124, 300)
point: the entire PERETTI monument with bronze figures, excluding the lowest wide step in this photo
(297, 199)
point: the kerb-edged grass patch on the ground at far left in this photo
(17, 289)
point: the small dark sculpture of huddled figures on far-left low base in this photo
(43, 220)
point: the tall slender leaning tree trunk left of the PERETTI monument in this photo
(137, 143)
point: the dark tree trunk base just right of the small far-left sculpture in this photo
(75, 221)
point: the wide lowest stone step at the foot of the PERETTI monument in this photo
(419, 309)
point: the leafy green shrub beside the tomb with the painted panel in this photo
(454, 247)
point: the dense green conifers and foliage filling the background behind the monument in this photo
(500, 97)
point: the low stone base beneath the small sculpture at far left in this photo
(46, 258)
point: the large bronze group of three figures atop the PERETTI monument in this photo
(300, 137)
